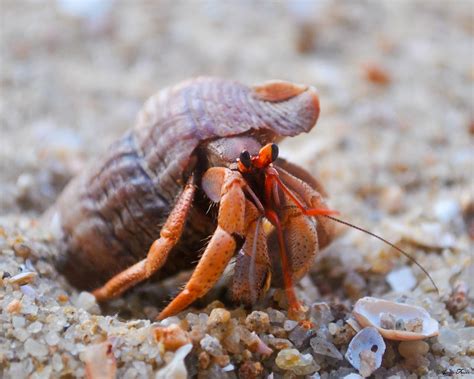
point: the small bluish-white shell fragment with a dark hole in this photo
(366, 350)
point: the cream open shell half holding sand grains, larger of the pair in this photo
(411, 322)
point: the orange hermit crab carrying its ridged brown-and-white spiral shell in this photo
(160, 178)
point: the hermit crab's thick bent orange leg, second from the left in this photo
(226, 186)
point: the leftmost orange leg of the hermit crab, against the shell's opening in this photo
(159, 250)
